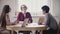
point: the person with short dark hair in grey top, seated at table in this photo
(50, 22)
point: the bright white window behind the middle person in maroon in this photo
(34, 6)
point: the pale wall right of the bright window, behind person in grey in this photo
(56, 9)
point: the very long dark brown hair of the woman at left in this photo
(6, 9)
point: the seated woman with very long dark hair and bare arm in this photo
(5, 18)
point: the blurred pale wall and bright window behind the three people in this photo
(34, 7)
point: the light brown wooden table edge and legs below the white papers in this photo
(13, 28)
